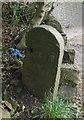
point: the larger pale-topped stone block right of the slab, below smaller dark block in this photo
(69, 74)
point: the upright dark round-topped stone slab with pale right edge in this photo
(41, 68)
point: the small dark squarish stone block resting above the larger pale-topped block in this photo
(69, 55)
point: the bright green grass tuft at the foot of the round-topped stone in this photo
(60, 108)
